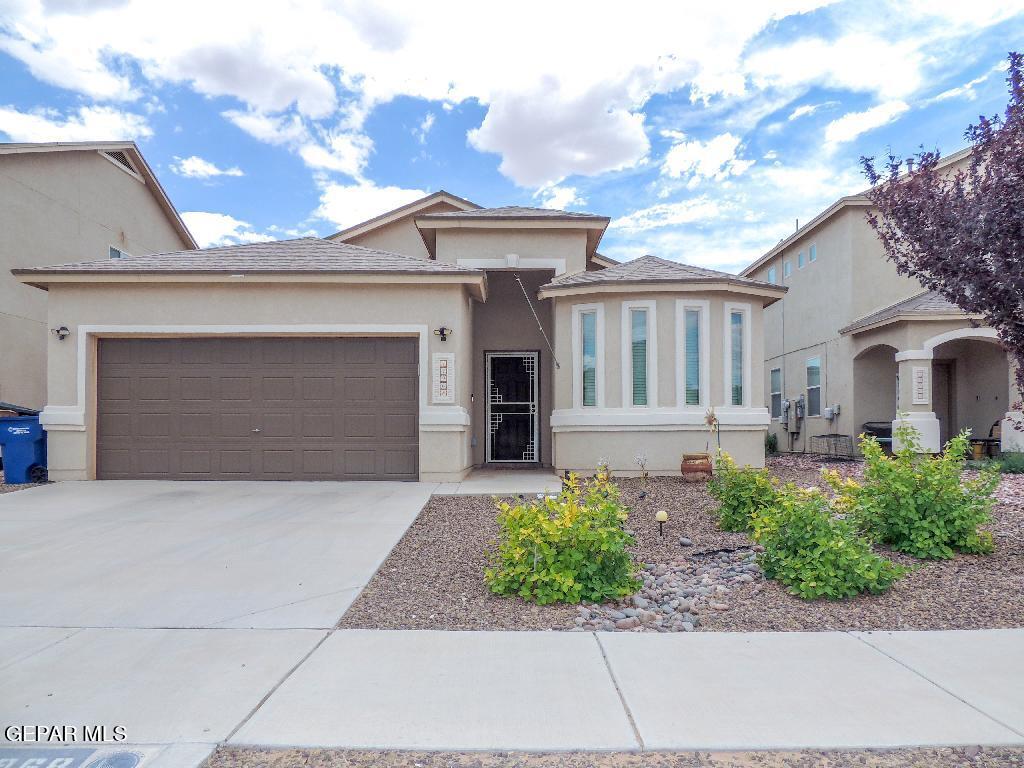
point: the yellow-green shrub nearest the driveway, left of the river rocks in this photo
(565, 549)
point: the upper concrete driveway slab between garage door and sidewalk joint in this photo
(156, 554)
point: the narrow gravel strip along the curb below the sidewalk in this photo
(229, 757)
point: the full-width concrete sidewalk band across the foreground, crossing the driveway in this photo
(523, 691)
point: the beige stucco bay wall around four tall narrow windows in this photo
(664, 432)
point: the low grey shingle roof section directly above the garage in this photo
(302, 255)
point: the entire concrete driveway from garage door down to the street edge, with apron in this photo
(175, 609)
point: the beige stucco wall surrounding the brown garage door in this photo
(444, 448)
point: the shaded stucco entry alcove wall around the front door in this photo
(504, 323)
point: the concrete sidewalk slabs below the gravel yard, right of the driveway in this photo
(554, 692)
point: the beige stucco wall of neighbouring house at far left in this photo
(58, 208)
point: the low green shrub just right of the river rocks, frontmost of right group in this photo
(816, 554)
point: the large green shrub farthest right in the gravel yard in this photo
(918, 504)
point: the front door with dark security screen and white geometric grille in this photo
(513, 425)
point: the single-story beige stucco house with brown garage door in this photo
(431, 340)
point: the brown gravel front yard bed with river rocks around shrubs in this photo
(697, 578)
